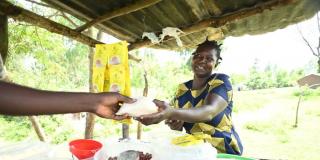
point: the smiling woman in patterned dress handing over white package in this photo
(203, 104)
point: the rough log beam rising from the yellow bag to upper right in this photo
(219, 21)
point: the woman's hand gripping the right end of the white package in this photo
(164, 111)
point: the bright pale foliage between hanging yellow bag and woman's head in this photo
(161, 77)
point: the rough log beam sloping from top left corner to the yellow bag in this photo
(24, 15)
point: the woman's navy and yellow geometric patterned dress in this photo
(223, 135)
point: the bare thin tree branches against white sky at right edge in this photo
(315, 51)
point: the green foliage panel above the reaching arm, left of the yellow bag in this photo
(47, 61)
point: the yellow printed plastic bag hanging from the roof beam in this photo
(111, 70)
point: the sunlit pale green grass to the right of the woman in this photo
(266, 125)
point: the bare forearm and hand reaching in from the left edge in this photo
(19, 100)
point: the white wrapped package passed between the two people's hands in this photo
(142, 106)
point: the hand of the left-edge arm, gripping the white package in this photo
(109, 105)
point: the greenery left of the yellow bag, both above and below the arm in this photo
(43, 60)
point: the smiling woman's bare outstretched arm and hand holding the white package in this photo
(214, 104)
